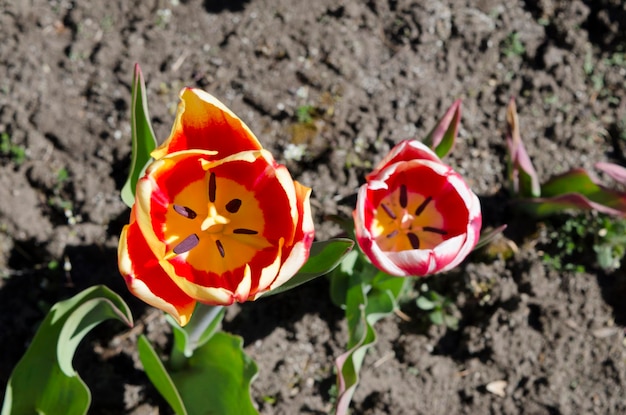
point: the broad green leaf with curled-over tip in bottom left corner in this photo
(44, 380)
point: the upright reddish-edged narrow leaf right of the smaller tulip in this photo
(522, 174)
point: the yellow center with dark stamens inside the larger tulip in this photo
(214, 219)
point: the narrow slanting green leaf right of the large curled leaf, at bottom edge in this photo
(158, 375)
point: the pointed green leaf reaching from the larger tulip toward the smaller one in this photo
(324, 257)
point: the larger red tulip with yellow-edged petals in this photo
(216, 220)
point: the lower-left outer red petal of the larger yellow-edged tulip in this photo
(146, 279)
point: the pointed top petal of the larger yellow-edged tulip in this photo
(204, 123)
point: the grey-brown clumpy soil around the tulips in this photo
(367, 74)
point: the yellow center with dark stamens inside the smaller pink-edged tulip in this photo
(407, 220)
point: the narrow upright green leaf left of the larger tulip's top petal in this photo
(142, 135)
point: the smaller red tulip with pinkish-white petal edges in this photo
(415, 216)
